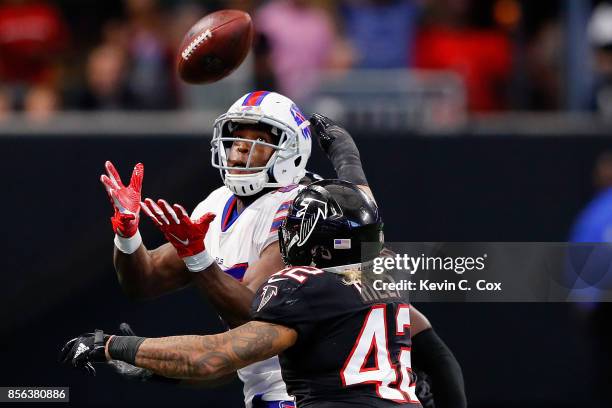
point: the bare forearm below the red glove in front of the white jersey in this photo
(231, 299)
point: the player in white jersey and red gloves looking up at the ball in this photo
(261, 147)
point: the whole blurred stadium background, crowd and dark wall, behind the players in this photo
(481, 120)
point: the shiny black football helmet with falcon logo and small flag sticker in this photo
(327, 224)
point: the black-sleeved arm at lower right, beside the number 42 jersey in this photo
(431, 355)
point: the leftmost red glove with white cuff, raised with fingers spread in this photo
(126, 203)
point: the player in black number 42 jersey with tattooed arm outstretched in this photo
(336, 348)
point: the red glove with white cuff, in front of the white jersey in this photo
(186, 235)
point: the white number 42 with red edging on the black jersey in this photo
(373, 340)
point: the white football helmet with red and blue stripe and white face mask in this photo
(291, 152)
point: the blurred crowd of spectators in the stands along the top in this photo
(120, 54)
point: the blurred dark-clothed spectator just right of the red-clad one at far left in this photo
(106, 87)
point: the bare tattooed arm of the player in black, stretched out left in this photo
(210, 357)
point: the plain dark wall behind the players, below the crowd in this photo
(57, 278)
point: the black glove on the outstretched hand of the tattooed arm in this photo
(84, 350)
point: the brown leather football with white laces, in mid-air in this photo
(215, 46)
